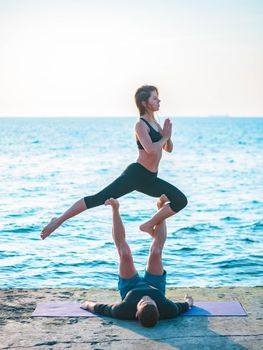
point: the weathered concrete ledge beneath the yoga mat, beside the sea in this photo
(18, 330)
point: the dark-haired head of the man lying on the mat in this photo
(147, 312)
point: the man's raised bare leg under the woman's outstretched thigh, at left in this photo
(126, 266)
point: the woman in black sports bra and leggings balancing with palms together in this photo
(142, 175)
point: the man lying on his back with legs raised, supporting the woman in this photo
(142, 298)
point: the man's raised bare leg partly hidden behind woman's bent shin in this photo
(154, 264)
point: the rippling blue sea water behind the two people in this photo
(48, 164)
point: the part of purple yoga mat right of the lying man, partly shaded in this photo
(216, 308)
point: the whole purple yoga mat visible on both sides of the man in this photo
(200, 308)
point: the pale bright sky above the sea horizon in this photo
(88, 57)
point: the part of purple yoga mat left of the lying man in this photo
(61, 309)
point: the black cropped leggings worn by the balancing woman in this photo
(138, 178)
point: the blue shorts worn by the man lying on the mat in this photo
(157, 281)
